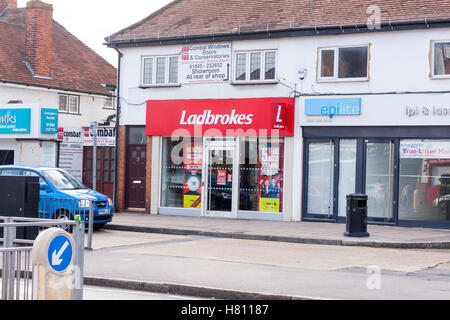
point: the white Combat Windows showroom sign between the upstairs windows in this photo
(201, 63)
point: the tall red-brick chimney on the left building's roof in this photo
(39, 38)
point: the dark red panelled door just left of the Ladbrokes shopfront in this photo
(136, 181)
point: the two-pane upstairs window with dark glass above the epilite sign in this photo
(346, 63)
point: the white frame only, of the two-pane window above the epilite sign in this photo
(335, 77)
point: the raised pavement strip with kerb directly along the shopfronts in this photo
(294, 232)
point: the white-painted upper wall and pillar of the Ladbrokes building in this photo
(399, 62)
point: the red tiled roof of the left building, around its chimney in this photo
(75, 67)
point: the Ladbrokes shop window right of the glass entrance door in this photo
(261, 175)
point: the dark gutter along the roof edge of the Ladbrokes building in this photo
(283, 33)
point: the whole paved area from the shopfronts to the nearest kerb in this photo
(265, 260)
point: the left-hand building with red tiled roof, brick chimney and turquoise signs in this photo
(44, 68)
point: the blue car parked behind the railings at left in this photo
(63, 197)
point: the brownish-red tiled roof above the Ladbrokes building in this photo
(203, 17)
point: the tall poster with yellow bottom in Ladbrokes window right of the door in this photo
(270, 179)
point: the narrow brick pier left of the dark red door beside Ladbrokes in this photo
(121, 168)
